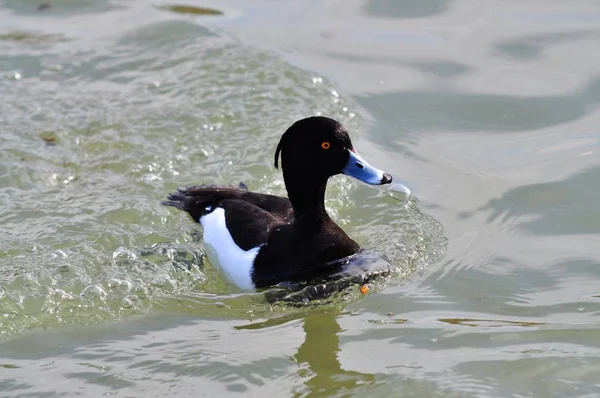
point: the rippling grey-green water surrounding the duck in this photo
(489, 113)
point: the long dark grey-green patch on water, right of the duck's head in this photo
(427, 111)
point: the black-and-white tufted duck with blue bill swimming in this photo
(260, 240)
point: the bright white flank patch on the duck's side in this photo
(224, 253)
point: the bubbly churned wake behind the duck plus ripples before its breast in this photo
(91, 154)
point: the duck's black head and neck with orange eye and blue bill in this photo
(314, 149)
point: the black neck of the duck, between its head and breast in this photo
(308, 201)
